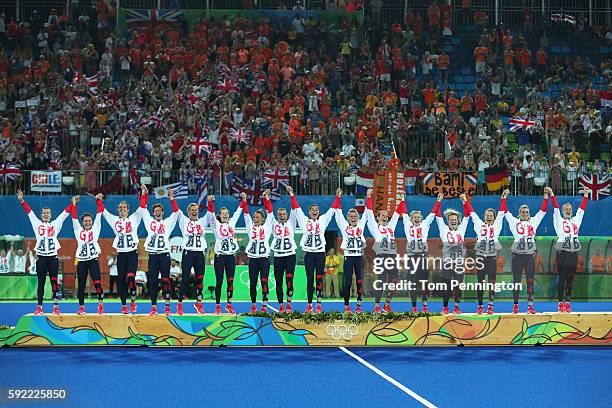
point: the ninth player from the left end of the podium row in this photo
(313, 244)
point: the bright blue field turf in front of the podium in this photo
(221, 377)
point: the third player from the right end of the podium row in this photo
(487, 247)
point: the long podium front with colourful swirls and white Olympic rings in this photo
(333, 329)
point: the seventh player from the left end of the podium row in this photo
(259, 229)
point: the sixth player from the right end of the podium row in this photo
(383, 230)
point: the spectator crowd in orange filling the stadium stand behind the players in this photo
(319, 100)
